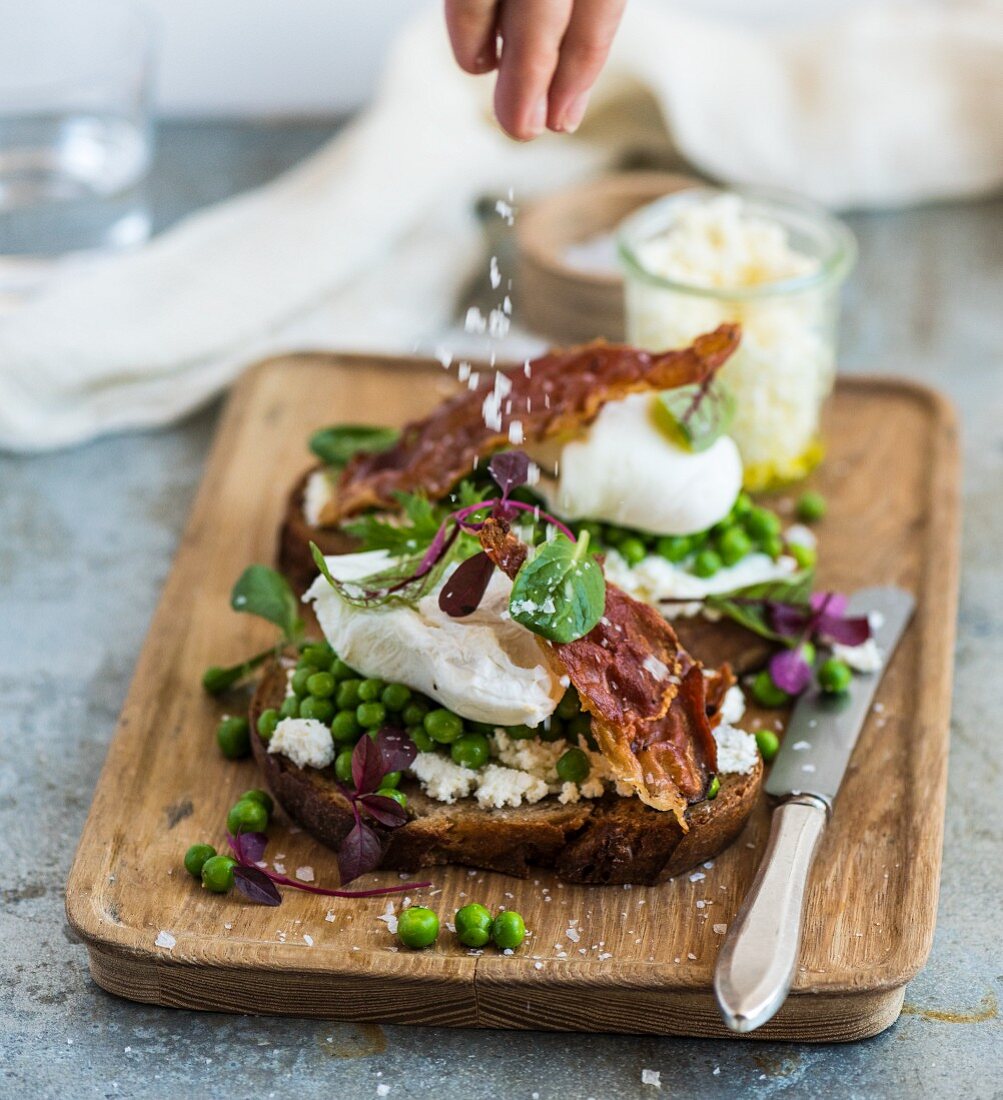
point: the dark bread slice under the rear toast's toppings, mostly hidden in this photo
(715, 644)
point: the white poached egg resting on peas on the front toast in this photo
(486, 667)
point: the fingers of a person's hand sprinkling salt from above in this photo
(552, 53)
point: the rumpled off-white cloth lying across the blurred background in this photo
(368, 243)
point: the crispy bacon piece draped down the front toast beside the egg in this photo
(647, 696)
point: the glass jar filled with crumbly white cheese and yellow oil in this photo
(774, 265)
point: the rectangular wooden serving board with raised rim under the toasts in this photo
(637, 960)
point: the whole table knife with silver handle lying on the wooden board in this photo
(758, 960)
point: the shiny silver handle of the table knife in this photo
(758, 960)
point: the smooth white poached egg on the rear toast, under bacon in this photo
(627, 471)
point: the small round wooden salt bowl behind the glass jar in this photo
(564, 301)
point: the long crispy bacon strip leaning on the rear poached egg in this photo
(554, 397)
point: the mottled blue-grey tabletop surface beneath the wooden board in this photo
(86, 541)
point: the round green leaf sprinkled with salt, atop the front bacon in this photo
(560, 593)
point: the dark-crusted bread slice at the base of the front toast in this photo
(601, 842)
